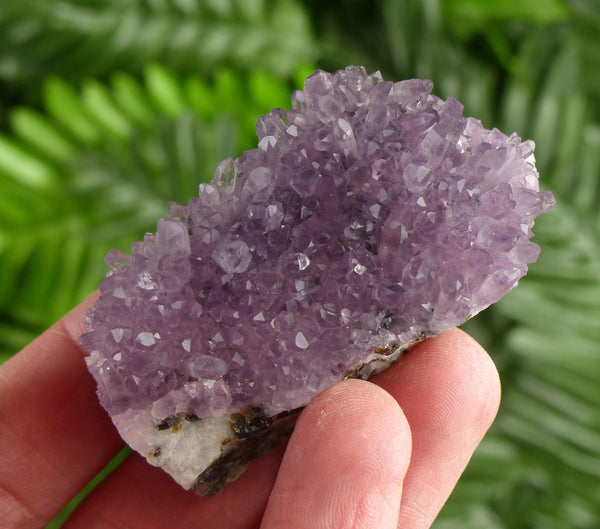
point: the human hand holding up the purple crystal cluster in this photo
(379, 454)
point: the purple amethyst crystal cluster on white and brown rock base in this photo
(371, 215)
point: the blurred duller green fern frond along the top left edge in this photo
(77, 40)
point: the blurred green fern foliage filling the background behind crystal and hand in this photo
(111, 108)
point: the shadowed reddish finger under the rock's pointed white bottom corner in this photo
(137, 495)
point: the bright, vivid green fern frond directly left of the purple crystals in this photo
(97, 168)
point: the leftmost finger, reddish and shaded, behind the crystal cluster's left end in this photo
(54, 435)
